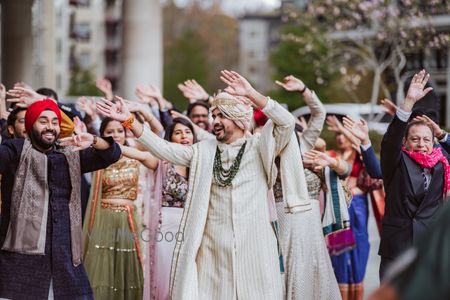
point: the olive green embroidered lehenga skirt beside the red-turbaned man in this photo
(112, 259)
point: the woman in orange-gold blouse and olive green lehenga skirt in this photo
(112, 255)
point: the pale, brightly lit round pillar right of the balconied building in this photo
(142, 45)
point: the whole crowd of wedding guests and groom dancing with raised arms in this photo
(233, 199)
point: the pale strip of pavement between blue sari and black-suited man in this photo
(372, 281)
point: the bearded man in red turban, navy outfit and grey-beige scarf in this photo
(40, 229)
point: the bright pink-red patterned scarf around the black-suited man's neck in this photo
(430, 160)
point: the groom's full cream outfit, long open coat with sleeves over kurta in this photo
(228, 249)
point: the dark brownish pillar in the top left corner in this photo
(17, 42)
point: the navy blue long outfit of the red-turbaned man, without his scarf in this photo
(28, 276)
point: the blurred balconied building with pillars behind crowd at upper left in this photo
(42, 42)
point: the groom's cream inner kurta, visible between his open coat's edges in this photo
(238, 255)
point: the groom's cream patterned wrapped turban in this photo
(235, 108)
